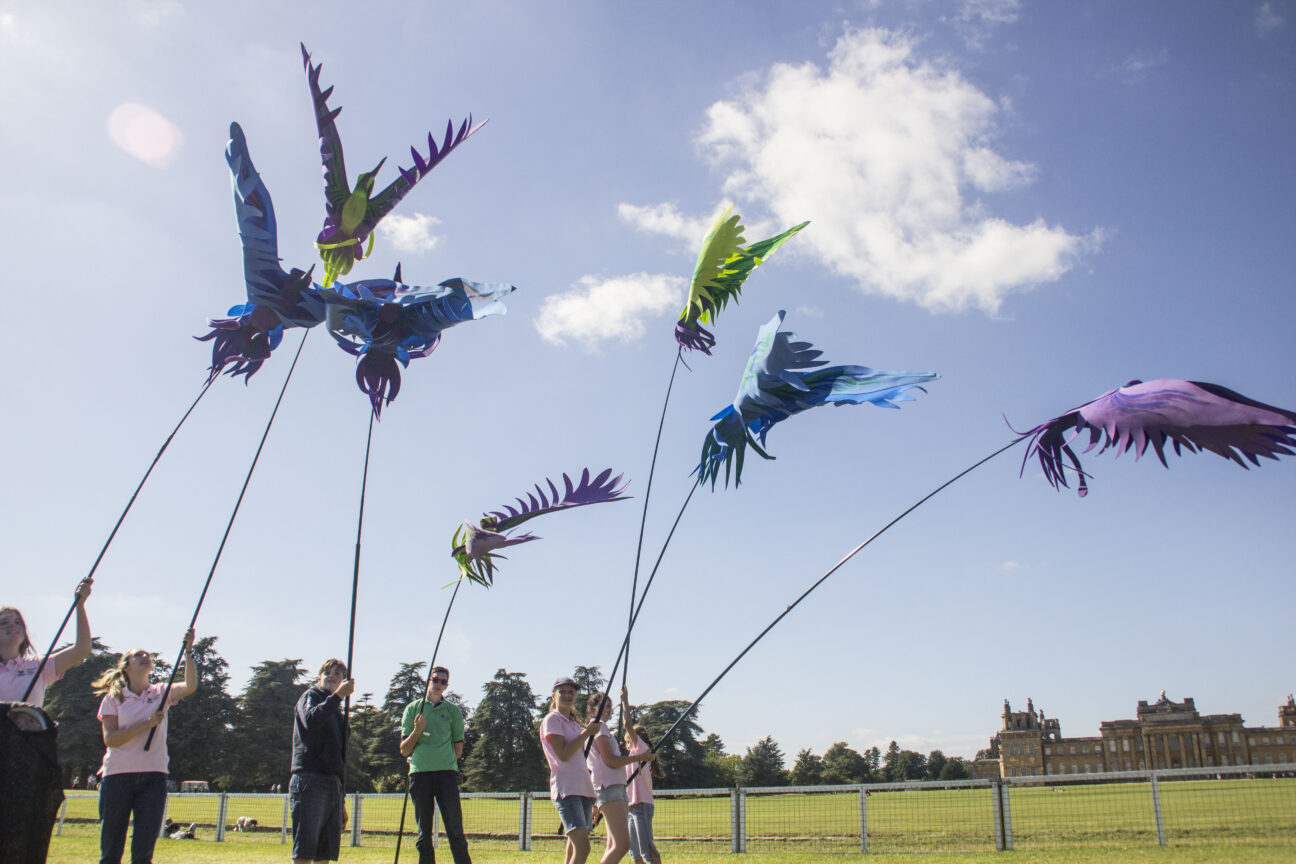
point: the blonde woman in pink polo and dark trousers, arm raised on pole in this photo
(134, 778)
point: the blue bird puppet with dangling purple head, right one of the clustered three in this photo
(387, 323)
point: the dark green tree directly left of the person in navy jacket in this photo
(264, 731)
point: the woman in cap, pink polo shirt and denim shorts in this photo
(571, 791)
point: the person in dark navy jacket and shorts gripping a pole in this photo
(319, 765)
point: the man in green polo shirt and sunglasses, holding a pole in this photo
(434, 742)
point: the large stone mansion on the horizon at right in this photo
(1166, 735)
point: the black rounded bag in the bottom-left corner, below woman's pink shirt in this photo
(32, 783)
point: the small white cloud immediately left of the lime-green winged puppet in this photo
(599, 310)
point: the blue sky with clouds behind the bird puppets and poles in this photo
(1037, 201)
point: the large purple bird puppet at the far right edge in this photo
(1189, 414)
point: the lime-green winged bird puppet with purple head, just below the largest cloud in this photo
(724, 265)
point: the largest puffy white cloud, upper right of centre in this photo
(878, 152)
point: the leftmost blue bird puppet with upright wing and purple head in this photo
(277, 300)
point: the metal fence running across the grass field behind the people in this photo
(1180, 808)
